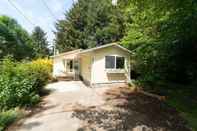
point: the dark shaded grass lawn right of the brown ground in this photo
(180, 97)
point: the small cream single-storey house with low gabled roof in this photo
(109, 63)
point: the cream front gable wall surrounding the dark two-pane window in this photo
(99, 73)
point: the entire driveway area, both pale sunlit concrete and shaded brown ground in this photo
(74, 107)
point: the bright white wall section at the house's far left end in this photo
(58, 66)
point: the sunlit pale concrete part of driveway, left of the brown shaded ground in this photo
(55, 113)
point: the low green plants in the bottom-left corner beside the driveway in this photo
(7, 117)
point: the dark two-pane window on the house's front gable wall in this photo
(114, 62)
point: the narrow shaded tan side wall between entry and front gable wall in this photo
(85, 68)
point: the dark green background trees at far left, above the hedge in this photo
(16, 41)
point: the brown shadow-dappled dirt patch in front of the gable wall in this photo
(126, 110)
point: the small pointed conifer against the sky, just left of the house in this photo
(40, 42)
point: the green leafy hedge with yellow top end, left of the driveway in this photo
(21, 83)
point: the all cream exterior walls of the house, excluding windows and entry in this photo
(92, 66)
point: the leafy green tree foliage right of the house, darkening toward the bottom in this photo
(162, 37)
